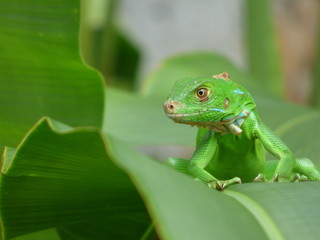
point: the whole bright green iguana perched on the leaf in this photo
(231, 140)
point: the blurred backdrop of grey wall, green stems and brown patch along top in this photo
(275, 41)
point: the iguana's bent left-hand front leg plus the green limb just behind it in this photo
(200, 159)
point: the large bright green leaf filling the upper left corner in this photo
(42, 73)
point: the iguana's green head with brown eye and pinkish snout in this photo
(215, 102)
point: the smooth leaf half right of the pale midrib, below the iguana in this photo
(292, 207)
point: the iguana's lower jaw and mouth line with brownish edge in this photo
(225, 125)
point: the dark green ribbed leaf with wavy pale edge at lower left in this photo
(59, 177)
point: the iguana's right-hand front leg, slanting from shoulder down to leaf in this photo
(277, 147)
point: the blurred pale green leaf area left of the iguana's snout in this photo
(142, 121)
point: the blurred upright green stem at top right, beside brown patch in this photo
(262, 45)
